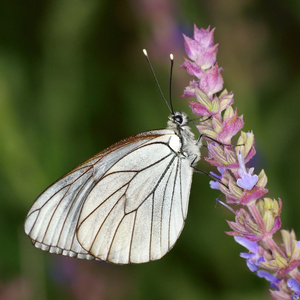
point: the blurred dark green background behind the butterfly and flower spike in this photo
(73, 80)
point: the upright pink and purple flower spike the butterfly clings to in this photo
(257, 218)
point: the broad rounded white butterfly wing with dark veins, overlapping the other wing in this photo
(131, 230)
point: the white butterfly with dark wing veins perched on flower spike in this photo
(127, 204)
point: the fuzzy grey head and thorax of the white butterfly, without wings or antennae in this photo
(190, 147)
